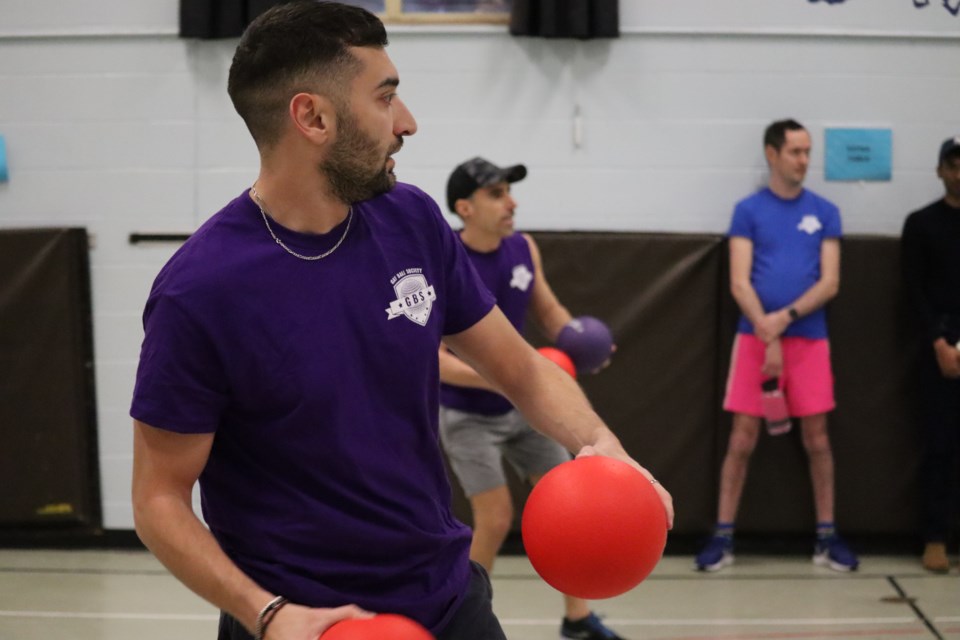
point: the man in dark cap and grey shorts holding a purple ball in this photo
(479, 427)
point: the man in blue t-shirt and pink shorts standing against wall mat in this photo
(784, 267)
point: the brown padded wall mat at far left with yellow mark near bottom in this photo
(48, 461)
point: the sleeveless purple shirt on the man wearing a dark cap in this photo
(509, 274)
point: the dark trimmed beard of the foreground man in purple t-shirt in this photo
(356, 167)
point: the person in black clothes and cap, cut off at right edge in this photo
(931, 263)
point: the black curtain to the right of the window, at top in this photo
(582, 19)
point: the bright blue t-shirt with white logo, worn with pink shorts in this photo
(787, 236)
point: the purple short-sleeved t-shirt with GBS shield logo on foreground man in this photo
(320, 379)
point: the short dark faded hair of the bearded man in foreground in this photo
(296, 46)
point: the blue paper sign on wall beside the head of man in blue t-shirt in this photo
(859, 154)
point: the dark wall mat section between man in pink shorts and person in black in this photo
(876, 434)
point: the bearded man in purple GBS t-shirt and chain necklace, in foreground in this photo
(289, 361)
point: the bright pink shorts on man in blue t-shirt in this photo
(807, 379)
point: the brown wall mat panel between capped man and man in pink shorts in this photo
(659, 294)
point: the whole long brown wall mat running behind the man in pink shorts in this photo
(666, 298)
